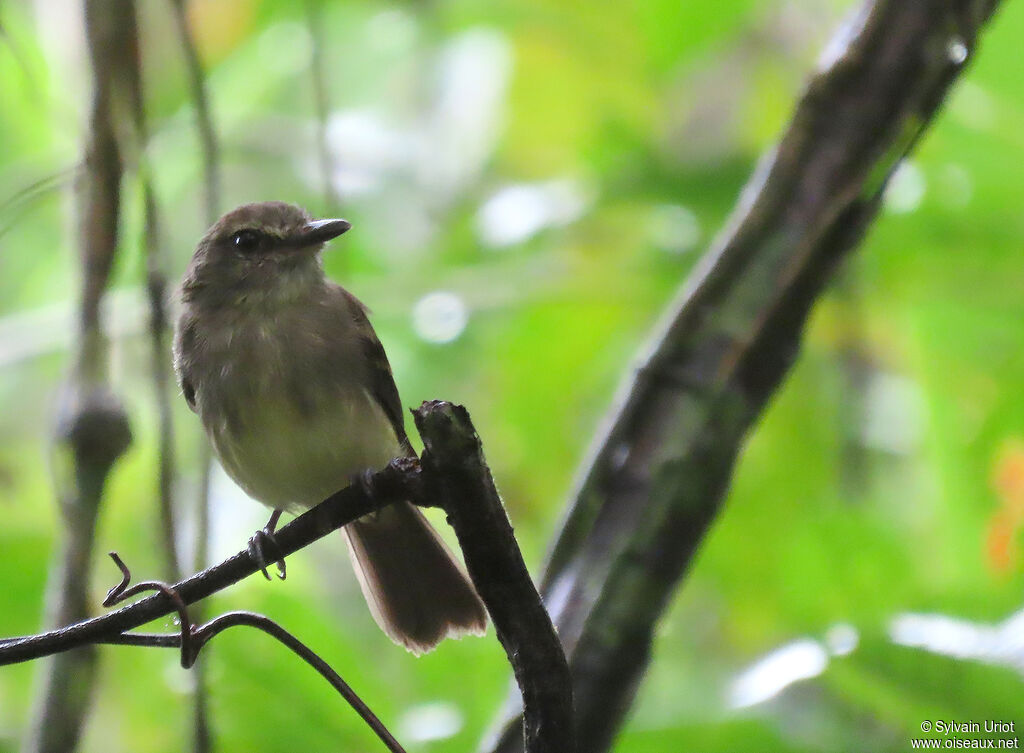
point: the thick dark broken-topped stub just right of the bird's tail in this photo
(457, 478)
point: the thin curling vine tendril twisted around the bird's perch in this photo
(192, 640)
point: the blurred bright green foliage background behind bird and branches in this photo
(887, 478)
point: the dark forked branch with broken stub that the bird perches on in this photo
(455, 477)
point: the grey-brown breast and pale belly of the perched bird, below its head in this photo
(289, 415)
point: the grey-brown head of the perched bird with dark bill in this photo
(260, 255)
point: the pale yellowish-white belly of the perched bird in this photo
(292, 462)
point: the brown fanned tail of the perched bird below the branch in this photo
(415, 589)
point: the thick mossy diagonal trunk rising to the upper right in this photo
(660, 471)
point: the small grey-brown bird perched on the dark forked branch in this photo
(296, 395)
